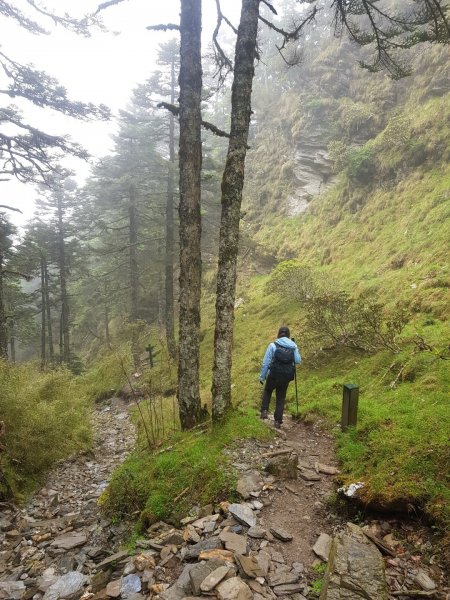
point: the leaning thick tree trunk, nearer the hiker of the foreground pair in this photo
(232, 184)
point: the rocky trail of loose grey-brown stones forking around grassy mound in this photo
(274, 543)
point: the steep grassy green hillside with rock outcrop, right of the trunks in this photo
(349, 177)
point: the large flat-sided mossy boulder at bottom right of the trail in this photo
(355, 568)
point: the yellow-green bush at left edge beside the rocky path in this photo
(45, 419)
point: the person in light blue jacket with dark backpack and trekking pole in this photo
(278, 369)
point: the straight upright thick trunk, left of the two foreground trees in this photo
(190, 156)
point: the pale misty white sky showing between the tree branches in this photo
(101, 69)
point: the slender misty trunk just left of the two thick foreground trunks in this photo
(169, 304)
